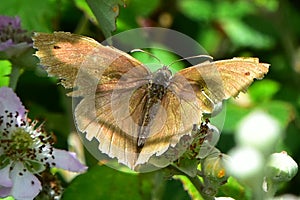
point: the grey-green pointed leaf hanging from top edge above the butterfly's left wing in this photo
(106, 13)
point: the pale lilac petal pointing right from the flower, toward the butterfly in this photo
(66, 160)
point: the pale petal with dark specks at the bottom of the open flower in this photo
(25, 184)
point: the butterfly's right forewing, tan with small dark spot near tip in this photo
(213, 82)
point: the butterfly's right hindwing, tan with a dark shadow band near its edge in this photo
(174, 119)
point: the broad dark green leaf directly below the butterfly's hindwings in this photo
(101, 182)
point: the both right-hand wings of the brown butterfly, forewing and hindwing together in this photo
(196, 90)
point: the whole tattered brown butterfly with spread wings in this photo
(133, 113)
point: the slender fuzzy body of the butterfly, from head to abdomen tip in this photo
(156, 90)
